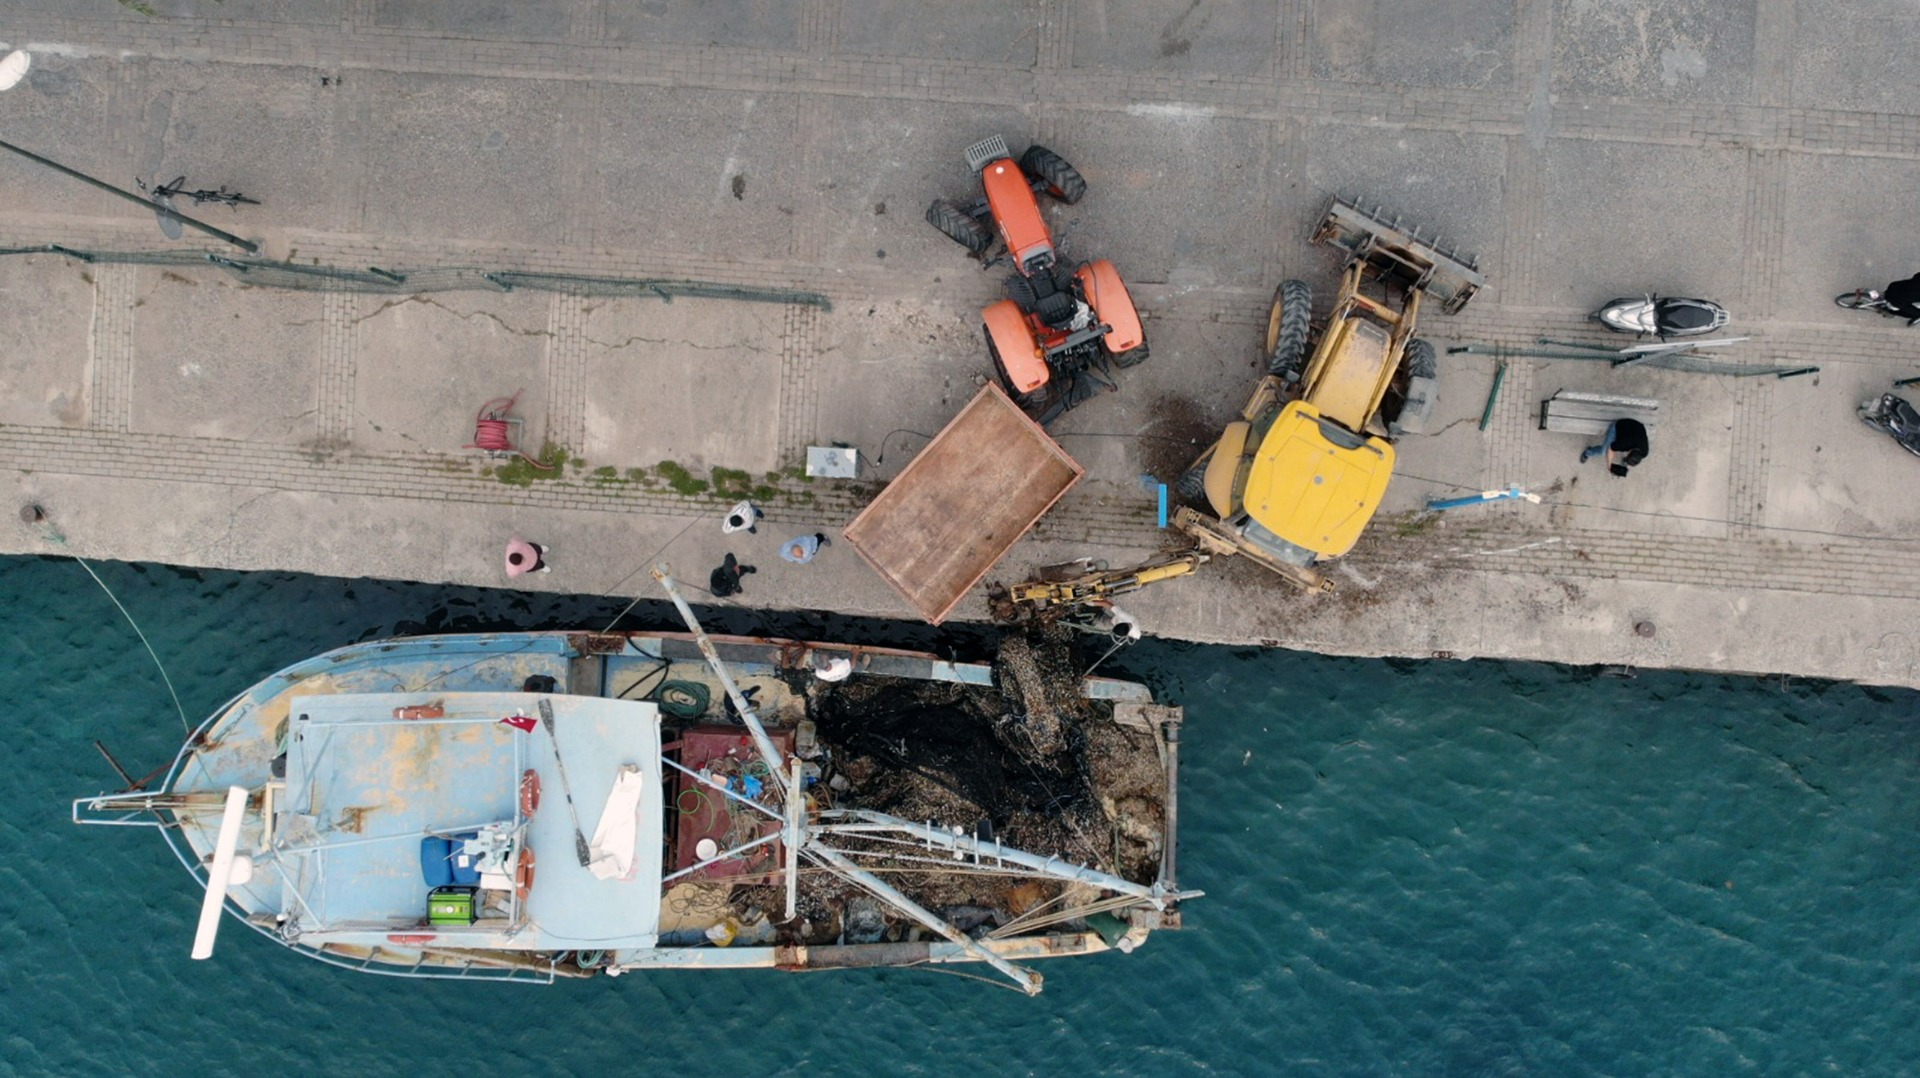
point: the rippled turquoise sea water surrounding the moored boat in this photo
(1410, 870)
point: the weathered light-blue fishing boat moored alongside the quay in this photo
(540, 806)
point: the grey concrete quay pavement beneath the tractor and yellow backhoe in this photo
(1760, 153)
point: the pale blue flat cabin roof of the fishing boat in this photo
(366, 787)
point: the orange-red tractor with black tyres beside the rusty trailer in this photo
(1059, 335)
